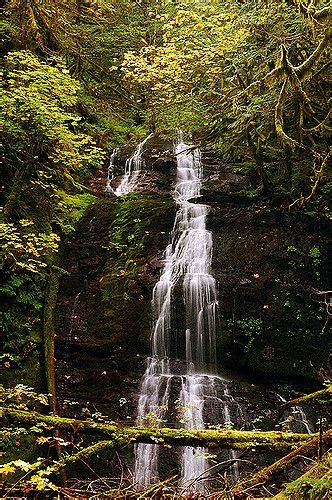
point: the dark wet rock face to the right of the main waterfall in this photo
(268, 263)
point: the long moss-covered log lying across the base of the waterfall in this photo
(174, 437)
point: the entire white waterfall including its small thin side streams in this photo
(192, 389)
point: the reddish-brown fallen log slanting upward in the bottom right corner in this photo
(285, 463)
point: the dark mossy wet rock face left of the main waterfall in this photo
(103, 312)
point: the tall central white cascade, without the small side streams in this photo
(187, 258)
